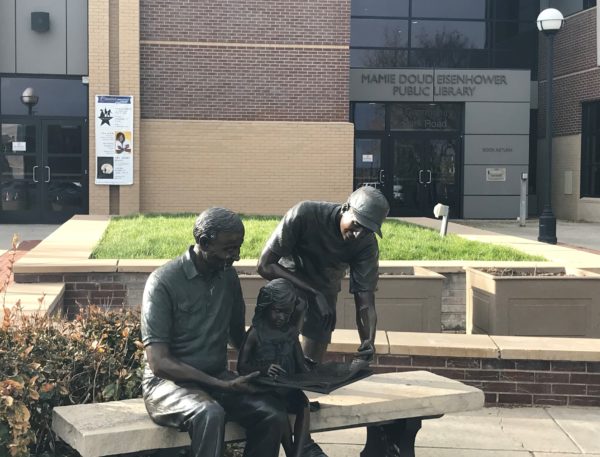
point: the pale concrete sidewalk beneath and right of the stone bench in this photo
(492, 432)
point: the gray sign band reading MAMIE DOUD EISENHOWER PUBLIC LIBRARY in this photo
(436, 85)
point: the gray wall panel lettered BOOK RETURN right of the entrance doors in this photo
(494, 149)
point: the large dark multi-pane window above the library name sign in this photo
(445, 34)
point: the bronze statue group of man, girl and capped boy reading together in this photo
(193, 307)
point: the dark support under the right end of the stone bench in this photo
(392, 440)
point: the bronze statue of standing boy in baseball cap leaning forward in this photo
(312, 247)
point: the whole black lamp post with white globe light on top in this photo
(549, 22)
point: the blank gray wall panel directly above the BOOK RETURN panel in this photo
(497, 118)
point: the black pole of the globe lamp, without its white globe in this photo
(547, 229)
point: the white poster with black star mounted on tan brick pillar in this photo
(114, 140)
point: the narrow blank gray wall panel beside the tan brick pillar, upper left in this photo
(77, 42)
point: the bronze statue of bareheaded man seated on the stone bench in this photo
(192, 307)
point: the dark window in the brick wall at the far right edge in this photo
(590, 150)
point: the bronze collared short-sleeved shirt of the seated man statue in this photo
(193, 313)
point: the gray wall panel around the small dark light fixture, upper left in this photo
(41, 52)
